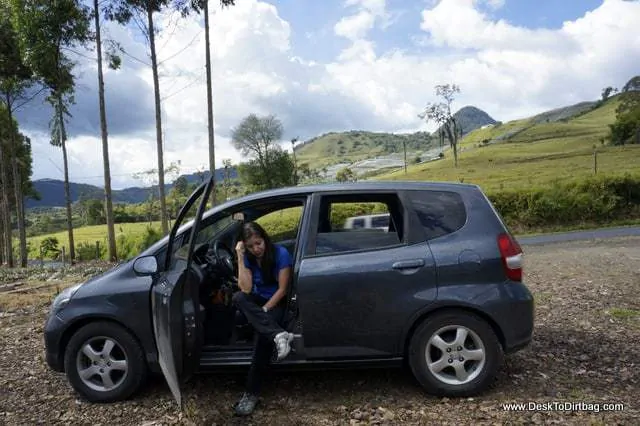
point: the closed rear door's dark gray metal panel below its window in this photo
(357, 304)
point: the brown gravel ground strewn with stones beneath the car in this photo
(585, 351)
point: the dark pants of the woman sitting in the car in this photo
(267, 326)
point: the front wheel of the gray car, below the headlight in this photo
(105, 351)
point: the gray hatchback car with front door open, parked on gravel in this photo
(439, 289)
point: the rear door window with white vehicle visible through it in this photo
(346, 223)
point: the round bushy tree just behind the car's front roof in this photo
(269, 165)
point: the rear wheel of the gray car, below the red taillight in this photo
(465, 372)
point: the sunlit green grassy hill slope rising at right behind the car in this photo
(522, 154)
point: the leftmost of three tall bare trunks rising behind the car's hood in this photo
(111, 235)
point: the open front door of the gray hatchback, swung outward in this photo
(175, 304)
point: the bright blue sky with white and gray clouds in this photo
(333, 65)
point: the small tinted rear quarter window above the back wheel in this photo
(440, 212)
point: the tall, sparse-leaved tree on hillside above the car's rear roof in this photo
(440, 113)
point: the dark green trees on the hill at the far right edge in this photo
(626, 128)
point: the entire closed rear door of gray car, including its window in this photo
(357, 289)
